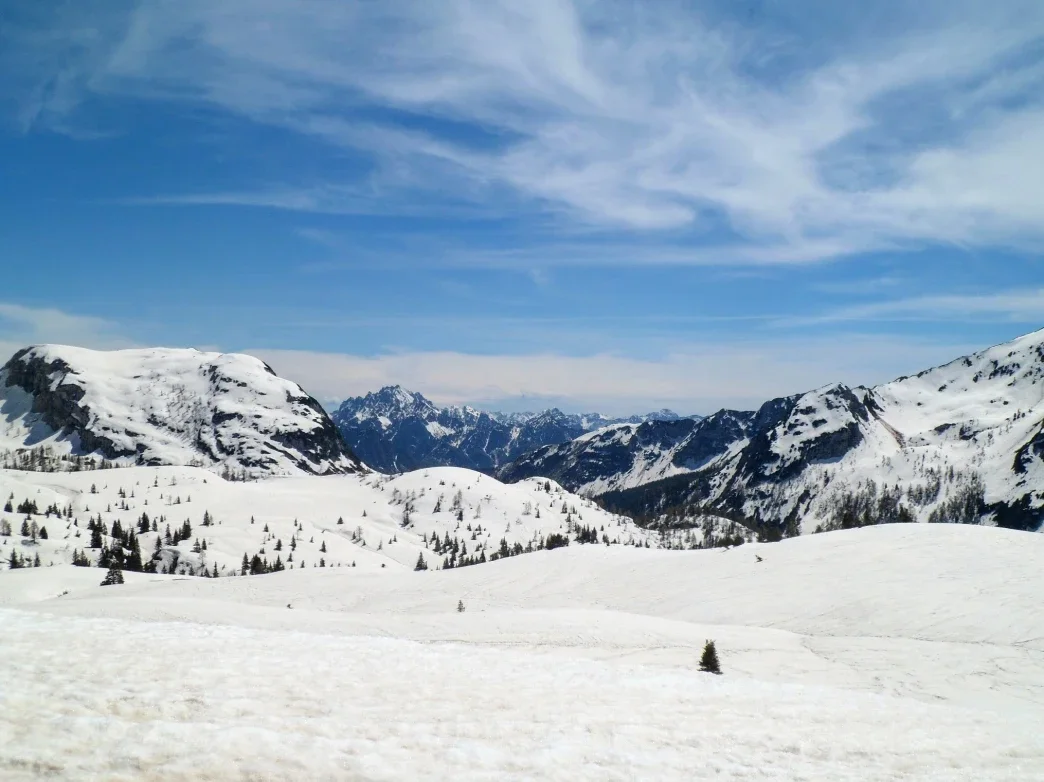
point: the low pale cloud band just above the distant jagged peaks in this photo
(697, 378)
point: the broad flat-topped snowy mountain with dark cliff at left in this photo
(161, 407)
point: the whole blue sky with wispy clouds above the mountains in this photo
(598, 205)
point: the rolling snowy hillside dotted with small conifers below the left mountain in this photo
(361, 520)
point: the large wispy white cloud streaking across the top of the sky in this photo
(809, 146)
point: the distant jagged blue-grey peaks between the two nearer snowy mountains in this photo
(396, 431)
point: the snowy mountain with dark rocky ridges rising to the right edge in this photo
(964, 442)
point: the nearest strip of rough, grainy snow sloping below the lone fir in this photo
(89, 699)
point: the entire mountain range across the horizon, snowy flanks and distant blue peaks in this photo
(963, 442)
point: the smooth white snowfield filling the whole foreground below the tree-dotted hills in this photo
(908, 652)
